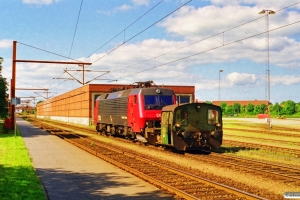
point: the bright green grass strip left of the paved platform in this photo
(18, 179)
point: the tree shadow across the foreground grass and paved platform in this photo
(60, 185)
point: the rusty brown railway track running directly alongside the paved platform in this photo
(180, 183)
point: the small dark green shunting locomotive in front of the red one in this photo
(193, 126)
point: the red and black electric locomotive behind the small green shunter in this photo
(133, 113)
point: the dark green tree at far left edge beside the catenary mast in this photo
(3, 94)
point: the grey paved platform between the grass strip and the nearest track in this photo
(68, 172)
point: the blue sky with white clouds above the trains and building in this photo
(222, 47)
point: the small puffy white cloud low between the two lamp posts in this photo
(241, 79)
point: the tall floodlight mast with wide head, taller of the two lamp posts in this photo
(267, 85)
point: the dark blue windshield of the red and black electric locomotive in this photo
(157, 101)
